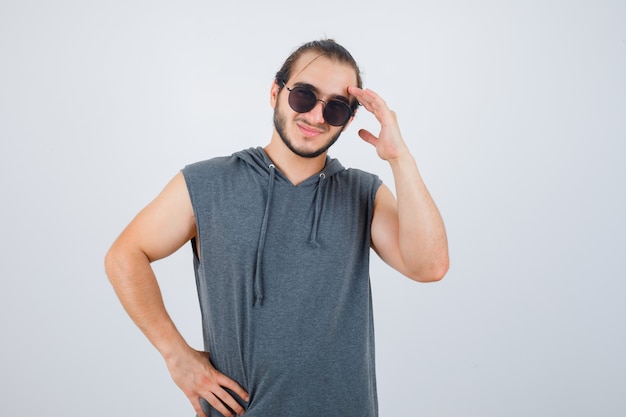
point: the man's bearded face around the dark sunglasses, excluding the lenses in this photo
(307, 134)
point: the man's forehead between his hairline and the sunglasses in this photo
(329, 76)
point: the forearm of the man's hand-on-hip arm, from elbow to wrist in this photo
(135, 284)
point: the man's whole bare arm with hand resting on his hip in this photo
(159, 230)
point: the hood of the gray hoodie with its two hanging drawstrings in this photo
(258, 160)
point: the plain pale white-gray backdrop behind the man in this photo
(515, 112)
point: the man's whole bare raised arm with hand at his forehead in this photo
(409, 233)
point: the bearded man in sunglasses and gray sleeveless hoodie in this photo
(281, 238)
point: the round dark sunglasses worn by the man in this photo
(303, 100)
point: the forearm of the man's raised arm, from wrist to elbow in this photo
(422, 237)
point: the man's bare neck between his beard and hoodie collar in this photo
(294, 167)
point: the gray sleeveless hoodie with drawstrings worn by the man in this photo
(283, 280)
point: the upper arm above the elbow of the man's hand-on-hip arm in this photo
(164, 225)
